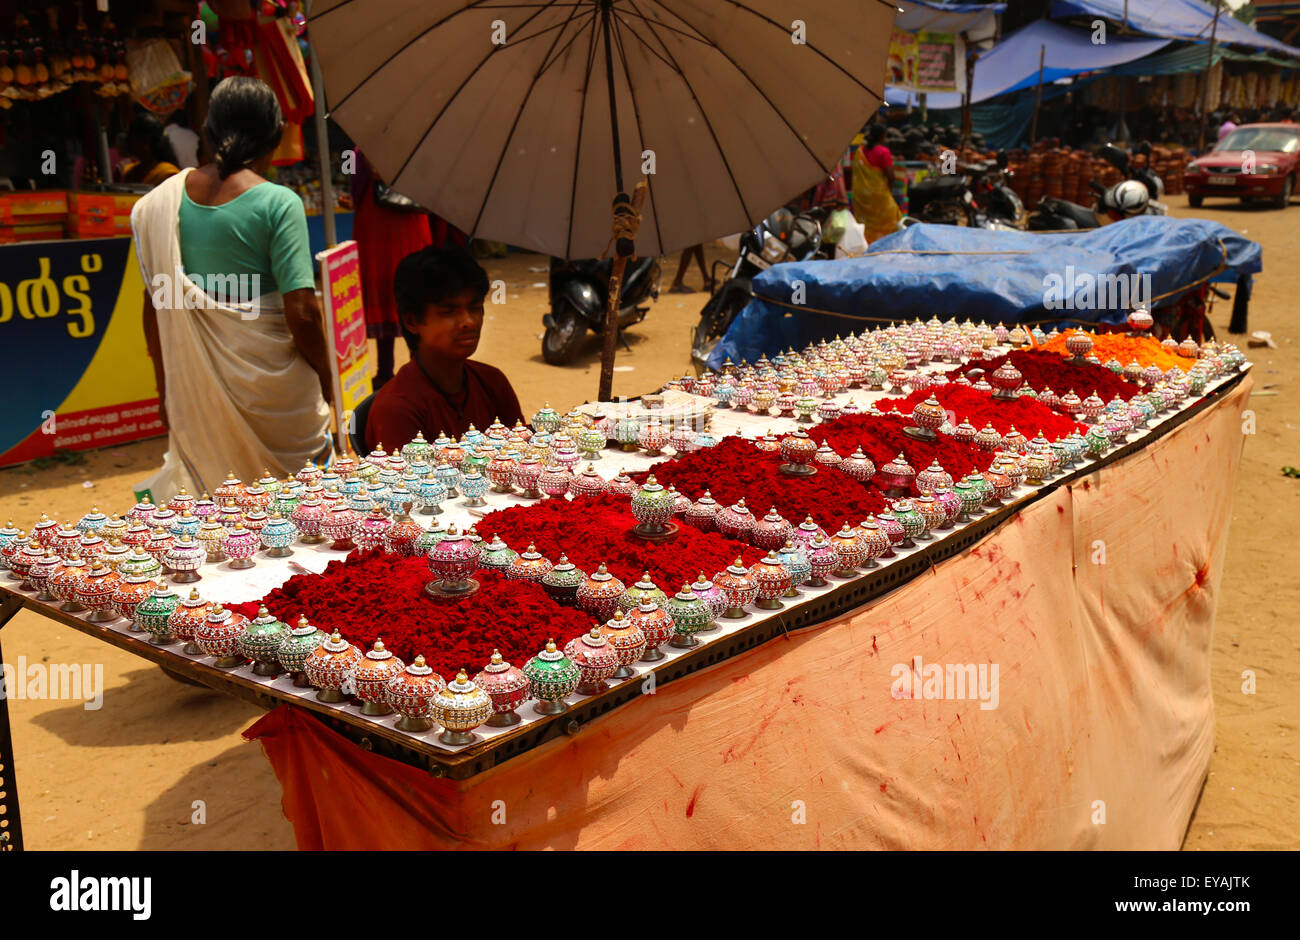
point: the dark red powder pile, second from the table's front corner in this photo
(600, 530)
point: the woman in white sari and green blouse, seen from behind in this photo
(231, 314)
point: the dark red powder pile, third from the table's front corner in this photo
(736, 470)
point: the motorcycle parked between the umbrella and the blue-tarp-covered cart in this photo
(785, 236)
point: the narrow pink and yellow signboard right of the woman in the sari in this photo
(345, 327)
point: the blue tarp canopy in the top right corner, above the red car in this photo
(1189, 20)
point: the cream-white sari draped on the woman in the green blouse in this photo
(240, 397)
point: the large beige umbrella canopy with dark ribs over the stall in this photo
(496, 115)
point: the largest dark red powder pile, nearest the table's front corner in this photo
(376, 596)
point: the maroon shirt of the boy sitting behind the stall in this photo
(411, 404)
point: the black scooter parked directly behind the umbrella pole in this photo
(580, 297)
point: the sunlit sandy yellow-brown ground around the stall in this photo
(163, 766)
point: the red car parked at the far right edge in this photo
(1254, 162)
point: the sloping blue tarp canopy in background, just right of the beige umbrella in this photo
(1013, 64)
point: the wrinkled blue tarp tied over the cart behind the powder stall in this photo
(948, 271)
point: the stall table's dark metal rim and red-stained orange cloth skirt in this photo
(996, 582)
